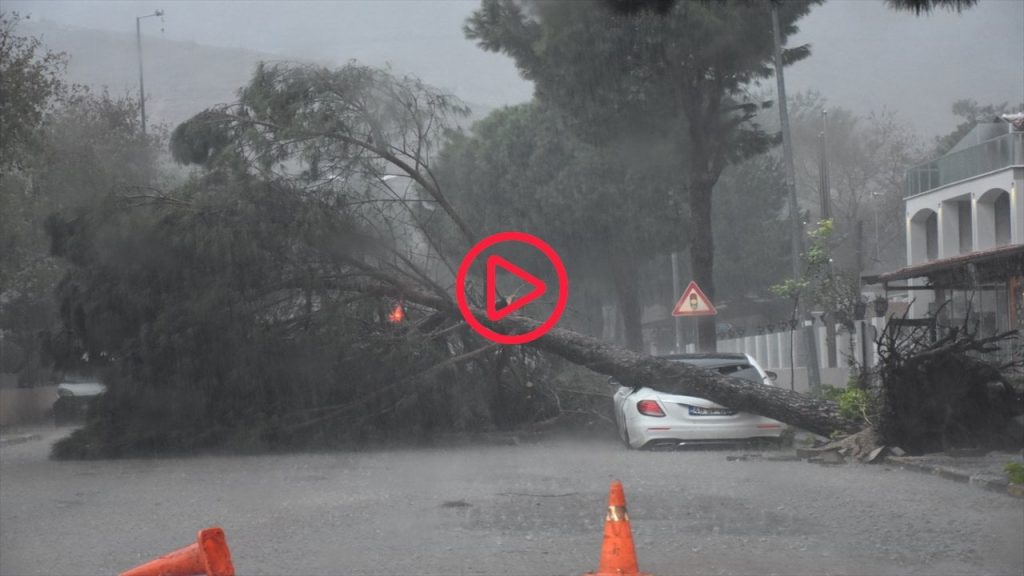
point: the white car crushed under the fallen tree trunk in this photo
(648, 419)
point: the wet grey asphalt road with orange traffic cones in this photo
(529, 510)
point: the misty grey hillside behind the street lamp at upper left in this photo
(182, 78)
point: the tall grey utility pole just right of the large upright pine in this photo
(814, 374)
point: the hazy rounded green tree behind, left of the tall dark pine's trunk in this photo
(607, 210)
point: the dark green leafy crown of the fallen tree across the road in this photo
(239, 311)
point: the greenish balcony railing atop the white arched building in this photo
(987, 157)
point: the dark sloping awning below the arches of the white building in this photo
(965, 271)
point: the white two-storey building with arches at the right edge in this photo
(965, 232)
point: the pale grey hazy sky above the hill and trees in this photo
(866, 57)
